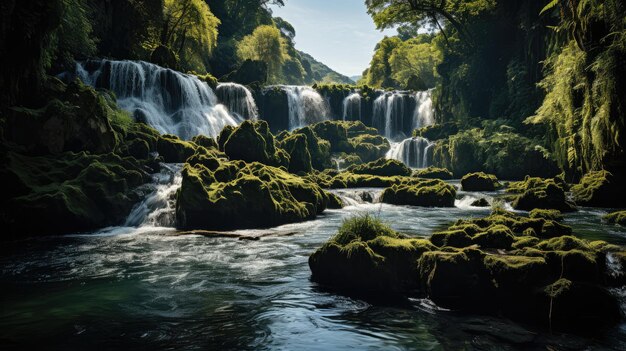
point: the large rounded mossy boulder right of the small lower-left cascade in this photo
(227, 195)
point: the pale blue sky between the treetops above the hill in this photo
(338, 33)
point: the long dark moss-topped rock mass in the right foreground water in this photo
(493, 264)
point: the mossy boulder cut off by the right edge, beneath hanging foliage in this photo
(599, 189)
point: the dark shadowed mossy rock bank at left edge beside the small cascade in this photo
(67, 193)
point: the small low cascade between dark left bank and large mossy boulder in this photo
(158, 208)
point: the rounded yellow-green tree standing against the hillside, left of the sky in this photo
(265, 44)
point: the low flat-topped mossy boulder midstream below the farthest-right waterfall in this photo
(426, 193)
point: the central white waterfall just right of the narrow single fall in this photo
(306, 106)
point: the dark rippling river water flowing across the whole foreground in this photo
(148, 287)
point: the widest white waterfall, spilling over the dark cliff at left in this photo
(170, 101)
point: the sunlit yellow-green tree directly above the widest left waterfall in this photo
(190, 30)
